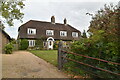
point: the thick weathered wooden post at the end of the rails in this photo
(60, 55)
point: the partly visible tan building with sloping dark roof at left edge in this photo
(4, 39)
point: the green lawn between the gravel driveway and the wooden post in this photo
(48, 55)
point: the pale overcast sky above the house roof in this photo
(73, 10)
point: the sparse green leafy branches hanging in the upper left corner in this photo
(11, 10)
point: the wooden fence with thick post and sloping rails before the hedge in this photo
(63, 58)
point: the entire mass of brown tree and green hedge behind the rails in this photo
(103, 43)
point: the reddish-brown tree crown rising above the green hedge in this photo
(106, 19)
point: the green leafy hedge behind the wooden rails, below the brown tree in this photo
(98, 47)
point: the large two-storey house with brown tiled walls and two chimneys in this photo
(51, 31)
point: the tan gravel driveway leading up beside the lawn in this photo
(23, 64)
